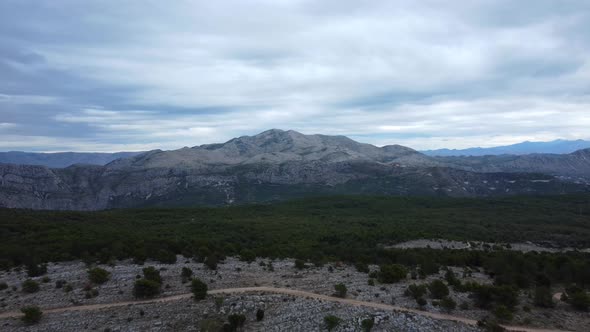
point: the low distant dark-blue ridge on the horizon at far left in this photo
(61, 159)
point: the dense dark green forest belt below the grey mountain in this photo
(351, 229)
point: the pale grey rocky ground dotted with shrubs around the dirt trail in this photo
(282, 312)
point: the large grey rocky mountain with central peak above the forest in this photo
(273, 165)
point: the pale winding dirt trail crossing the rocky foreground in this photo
(285, 291)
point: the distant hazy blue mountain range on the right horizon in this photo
(558, 147)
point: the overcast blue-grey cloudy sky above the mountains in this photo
(112, 75)
